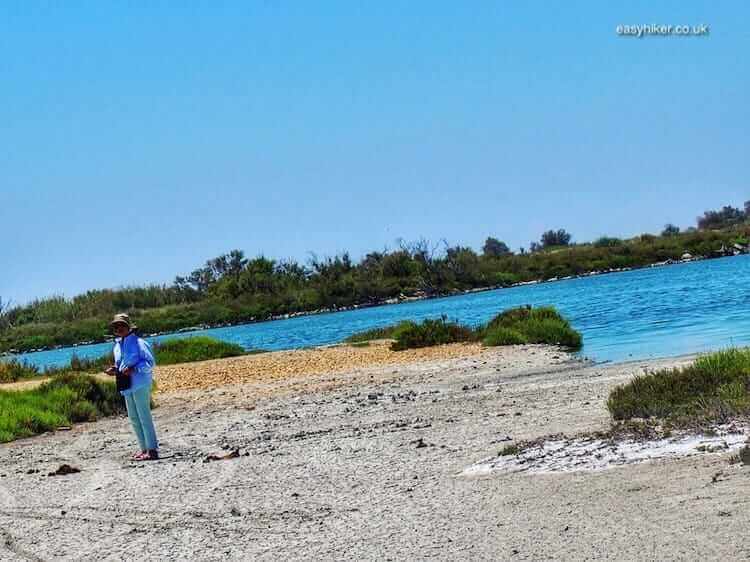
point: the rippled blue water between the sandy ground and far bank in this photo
(658, 312)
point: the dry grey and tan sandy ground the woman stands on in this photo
(367, 463)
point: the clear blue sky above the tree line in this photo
(138, 139)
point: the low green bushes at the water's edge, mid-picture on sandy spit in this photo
(514, 326)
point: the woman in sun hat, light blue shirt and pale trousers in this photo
(133, 364)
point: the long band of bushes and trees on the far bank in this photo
(233, 289)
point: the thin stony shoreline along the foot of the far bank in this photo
(402, 299)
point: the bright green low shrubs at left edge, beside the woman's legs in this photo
(62, 401)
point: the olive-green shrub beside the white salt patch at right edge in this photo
(711, 390)
